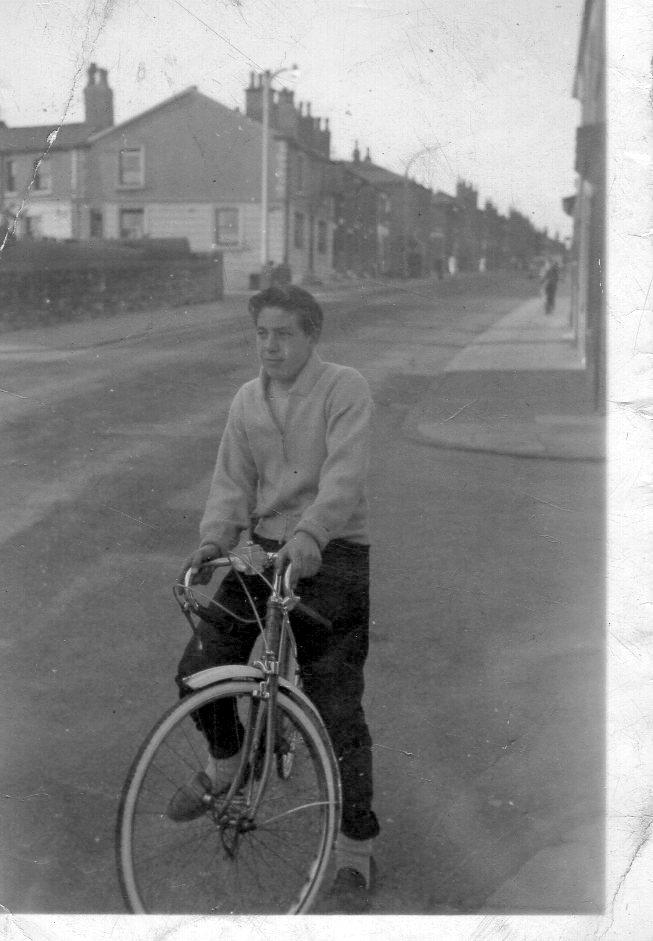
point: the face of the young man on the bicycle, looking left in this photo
(282, 345)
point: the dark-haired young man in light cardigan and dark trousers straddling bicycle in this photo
(291, 470)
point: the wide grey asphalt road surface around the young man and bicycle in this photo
(485, 671)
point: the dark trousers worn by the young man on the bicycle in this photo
(331, 666)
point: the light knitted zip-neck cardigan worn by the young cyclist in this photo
(308, 475)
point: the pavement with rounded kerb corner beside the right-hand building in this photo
(517, 389)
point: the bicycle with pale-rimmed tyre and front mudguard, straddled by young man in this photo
(261, 846)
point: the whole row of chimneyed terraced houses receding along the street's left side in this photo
(190, 167)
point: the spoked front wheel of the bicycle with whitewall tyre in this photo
(215, 864)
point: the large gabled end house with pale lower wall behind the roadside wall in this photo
(188, 167)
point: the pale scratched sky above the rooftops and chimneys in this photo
(489, 82)
